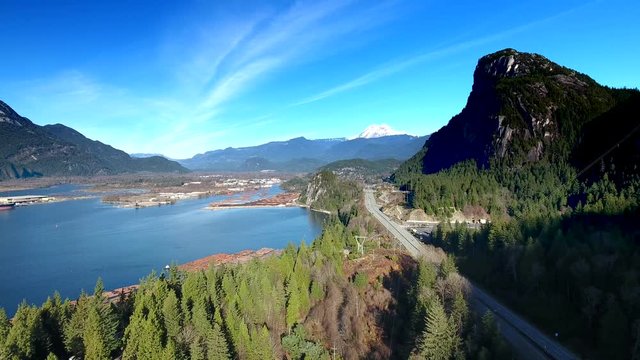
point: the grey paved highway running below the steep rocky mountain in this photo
(527, 341)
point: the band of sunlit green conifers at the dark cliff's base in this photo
(535, 188)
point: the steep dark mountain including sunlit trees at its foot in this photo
(534, 126)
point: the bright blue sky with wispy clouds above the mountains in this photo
(183, 77)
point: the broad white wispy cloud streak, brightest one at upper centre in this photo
(295, 34)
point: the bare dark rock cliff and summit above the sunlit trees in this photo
(522, 108)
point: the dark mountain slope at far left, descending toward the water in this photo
(27, 149)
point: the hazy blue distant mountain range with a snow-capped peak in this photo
(301, 154)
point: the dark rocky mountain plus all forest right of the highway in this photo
(553, 157)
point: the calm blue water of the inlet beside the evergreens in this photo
(66, 246)
